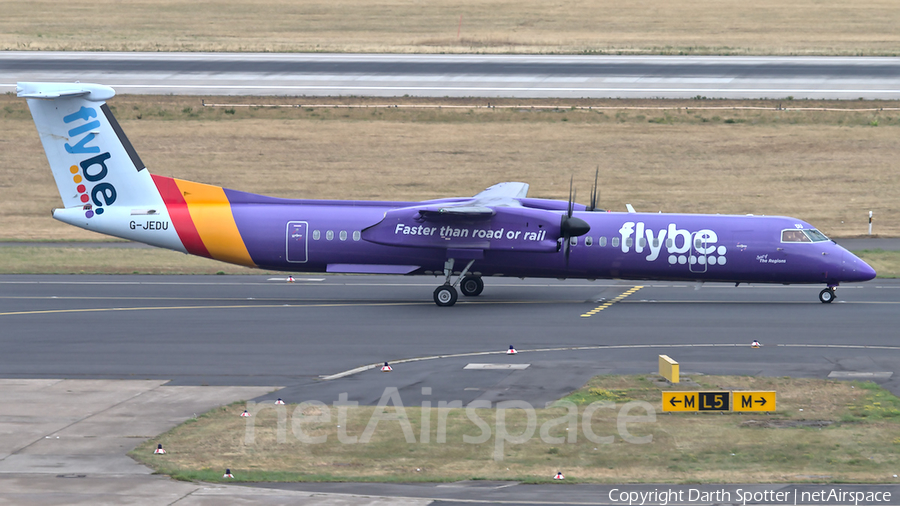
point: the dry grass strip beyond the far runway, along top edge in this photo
(462, 26)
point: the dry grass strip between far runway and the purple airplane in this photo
(828, 168)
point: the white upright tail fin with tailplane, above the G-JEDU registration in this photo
(94, 164)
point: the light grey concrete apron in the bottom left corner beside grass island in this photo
(65, 442)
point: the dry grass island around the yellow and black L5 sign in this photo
(858, 446)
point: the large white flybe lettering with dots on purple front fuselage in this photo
(640, 239)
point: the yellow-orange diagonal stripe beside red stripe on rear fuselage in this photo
(211, 214)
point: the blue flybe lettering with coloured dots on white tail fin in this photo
(89, 174)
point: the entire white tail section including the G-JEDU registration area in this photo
(102, 181)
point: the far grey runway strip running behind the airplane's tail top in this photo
(520, 76)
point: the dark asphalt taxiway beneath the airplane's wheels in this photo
(310, 335)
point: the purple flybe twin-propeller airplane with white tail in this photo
(106, 188)
